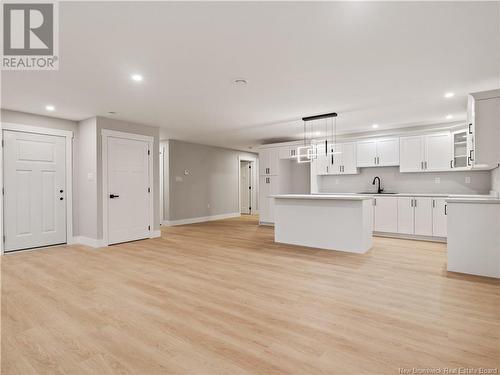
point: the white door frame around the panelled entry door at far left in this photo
(68, 134)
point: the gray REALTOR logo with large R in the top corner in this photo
(29, 36)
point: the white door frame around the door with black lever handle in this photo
(105, 134)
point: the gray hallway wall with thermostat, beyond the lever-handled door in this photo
(211, 188)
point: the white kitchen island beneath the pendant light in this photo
(332, 222)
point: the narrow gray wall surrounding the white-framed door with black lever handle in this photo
(129, 127)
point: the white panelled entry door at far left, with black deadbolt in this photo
(35, 190)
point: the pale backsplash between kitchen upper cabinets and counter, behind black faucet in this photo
(394, 181)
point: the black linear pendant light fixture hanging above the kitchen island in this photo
(308, 152)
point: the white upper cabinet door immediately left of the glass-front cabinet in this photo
(438, 152)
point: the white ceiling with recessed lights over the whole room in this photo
(387, 63)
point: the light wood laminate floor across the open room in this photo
(223, 298)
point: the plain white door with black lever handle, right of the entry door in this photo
(129, 193)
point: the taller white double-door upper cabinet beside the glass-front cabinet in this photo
(426, 153)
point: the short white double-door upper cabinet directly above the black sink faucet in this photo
(379, 152)
